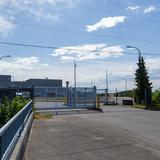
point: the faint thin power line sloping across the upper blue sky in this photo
(82, 33)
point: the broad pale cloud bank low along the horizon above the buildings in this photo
(31, 67)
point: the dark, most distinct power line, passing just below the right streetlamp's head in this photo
(65, 48)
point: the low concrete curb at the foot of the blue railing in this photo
(20, 147)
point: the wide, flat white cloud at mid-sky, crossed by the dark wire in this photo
(87, 52)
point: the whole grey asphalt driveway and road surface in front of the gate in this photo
(117, 134)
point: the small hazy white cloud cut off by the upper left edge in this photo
(6, 27)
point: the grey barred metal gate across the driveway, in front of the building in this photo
(69, 97)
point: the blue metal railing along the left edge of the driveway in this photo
(11, 131)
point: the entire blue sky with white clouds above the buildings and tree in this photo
(94, 33)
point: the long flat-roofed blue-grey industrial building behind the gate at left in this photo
(36, 87)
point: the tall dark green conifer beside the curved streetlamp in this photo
(143, 90)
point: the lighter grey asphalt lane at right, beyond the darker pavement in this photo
(141, 122)
